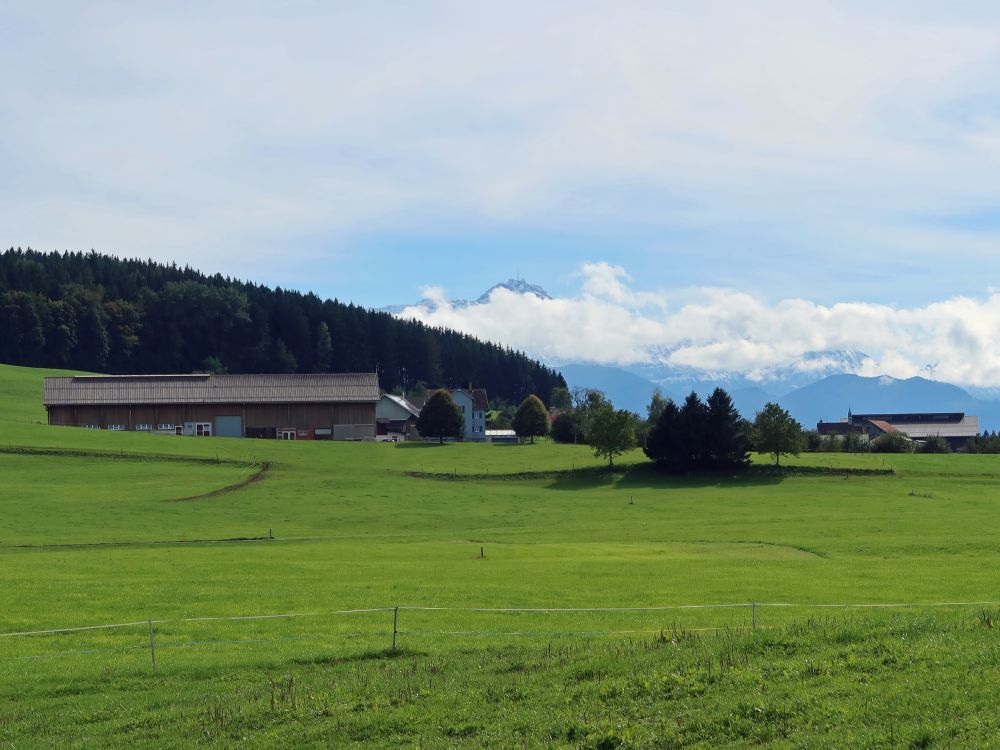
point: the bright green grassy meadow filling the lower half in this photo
(107, 528)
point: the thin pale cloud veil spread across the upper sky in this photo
(192, 130)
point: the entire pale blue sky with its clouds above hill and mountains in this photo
(720, 158)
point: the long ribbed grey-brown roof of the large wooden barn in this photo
(211, 389)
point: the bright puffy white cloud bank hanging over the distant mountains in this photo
(955, 340)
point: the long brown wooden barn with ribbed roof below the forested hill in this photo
(289, 407)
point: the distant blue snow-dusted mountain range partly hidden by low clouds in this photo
(819, 385)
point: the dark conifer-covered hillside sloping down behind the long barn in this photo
(94, 312)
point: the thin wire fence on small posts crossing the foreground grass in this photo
(383, 626)
